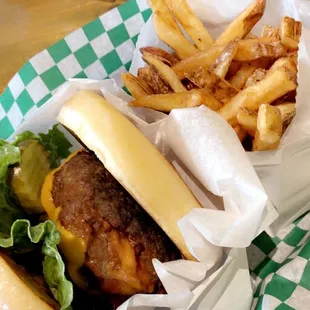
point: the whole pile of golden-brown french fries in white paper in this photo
(249, 80)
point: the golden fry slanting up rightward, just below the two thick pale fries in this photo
(201, 59)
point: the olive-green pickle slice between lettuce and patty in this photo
(27, 178)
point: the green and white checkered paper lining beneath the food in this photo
(279, 266)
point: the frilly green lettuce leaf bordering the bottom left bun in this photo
(53, 266)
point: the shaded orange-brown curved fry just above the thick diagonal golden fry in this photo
(246, 70)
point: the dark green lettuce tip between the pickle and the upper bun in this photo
(56, 144)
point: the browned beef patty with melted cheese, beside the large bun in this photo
(121, 237)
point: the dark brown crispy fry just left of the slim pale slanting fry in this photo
(150, 77)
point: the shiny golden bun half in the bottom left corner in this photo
(18, 290)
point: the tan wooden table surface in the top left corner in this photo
(28, 26)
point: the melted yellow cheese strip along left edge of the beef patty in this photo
(72, 246)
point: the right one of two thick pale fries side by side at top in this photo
(191, 24)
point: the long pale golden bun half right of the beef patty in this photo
(132, 160)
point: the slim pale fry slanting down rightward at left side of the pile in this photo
(165, 72)
